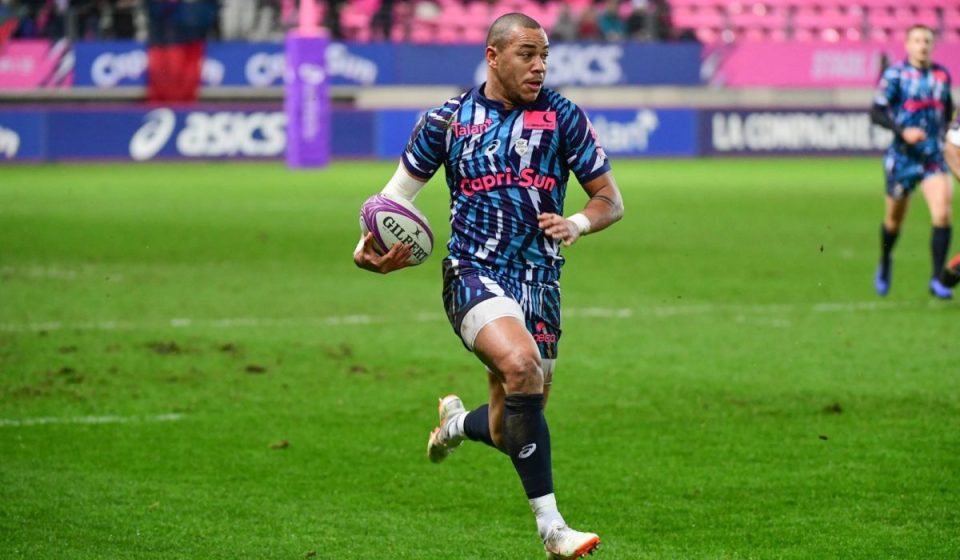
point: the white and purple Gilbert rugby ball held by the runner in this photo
(395, 220)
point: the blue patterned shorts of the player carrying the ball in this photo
(465, 287)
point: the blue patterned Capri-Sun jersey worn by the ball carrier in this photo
(503, 168)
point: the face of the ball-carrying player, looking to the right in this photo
(520, 67)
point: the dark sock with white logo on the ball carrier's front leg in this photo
(526, 439)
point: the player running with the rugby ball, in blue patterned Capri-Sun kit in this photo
(507, 148)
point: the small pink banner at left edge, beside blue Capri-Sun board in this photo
(30, 64)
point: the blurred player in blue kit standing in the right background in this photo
(914, 101)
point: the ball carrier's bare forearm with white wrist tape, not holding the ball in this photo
(604, 208)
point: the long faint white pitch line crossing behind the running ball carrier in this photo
(653, 312)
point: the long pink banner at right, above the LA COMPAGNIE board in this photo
(810, 65)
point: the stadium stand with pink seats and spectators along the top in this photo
(466, 21)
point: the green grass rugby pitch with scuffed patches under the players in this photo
(192, 368)
